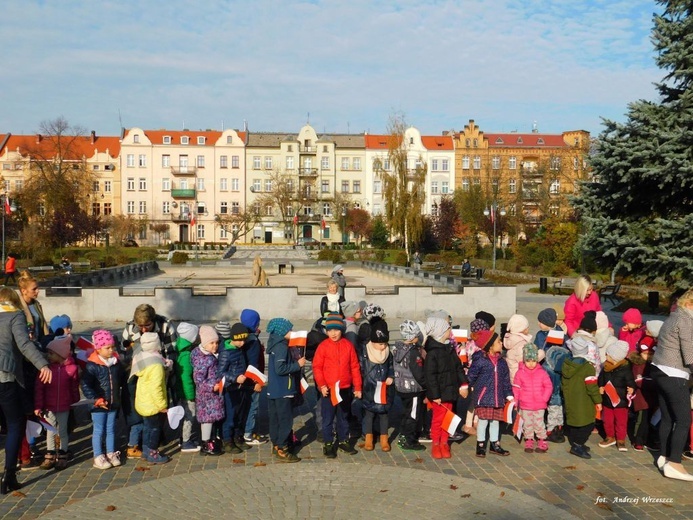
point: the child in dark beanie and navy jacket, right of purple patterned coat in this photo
(231, 369)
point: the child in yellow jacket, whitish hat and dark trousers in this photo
(151, 400)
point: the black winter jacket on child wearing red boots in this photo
(443, 372)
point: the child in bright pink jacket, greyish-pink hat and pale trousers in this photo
(532, 389)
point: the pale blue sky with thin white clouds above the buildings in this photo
(343, 66)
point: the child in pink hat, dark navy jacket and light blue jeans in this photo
(101, 381)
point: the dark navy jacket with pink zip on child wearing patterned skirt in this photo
(490, 379)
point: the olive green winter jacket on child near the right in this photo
(580, 392)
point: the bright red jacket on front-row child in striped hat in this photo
(336, 361)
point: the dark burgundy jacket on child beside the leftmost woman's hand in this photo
(62, 391)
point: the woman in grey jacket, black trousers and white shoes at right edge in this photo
(672, 368)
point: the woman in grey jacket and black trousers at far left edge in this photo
(15, 343)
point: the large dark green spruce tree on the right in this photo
(638, 213)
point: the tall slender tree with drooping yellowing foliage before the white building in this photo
(403, 187)
